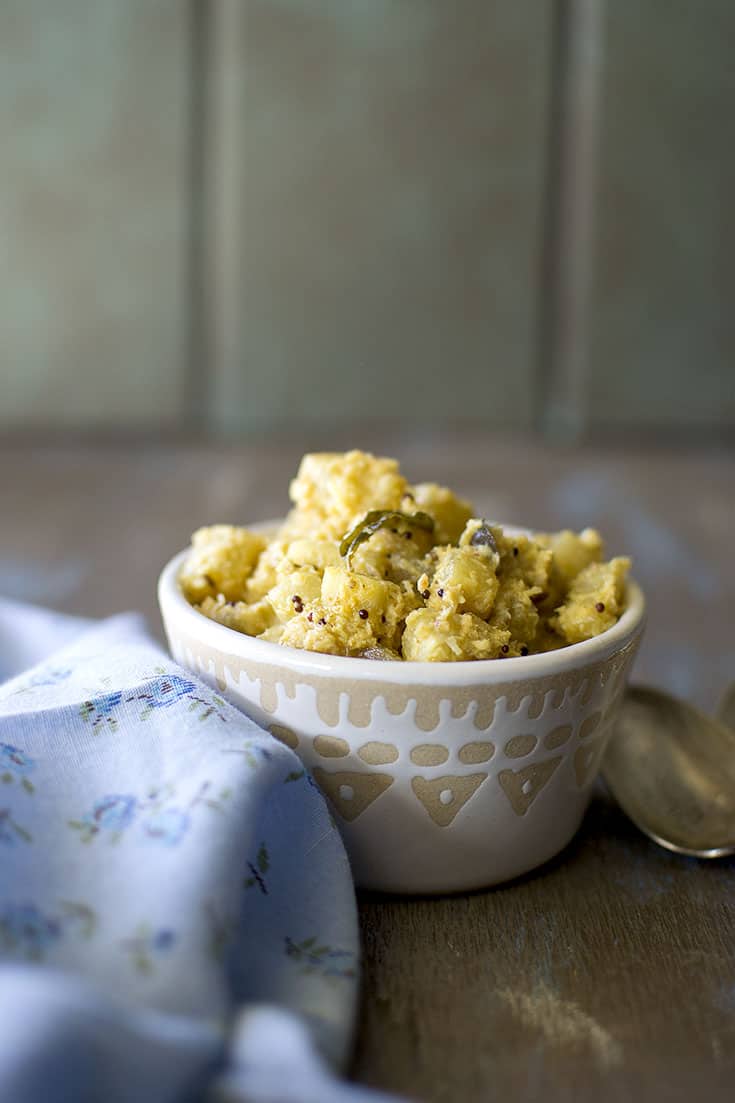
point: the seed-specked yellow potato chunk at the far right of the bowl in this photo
(595, 601)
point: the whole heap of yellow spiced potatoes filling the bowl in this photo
(468, 590)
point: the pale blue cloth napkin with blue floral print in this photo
(177, 914)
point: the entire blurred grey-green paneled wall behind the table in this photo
(243, 215)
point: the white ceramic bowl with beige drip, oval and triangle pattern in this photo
(442, 776)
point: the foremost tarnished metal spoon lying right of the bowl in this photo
(673, 772)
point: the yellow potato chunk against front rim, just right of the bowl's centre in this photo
(450, 638)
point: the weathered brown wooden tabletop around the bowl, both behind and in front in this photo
(610, 975)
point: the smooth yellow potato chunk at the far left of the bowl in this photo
(221, 561)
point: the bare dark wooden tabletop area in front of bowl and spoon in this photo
(609, 976)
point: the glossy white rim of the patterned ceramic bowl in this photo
(175, 606)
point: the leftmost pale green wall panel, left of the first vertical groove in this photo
(94, 211)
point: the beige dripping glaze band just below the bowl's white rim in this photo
(399, 699)
